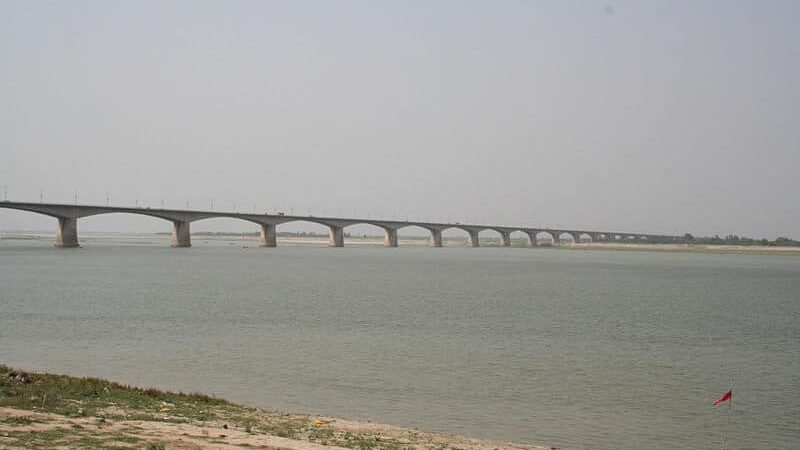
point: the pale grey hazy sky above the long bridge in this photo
(666, 117)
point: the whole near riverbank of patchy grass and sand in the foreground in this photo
(40, 410)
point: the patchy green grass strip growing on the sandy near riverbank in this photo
(108, 402)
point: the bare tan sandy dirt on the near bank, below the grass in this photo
(27, 429)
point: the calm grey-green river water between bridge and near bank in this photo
(574, 349)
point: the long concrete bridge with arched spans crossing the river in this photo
(68, 215)
